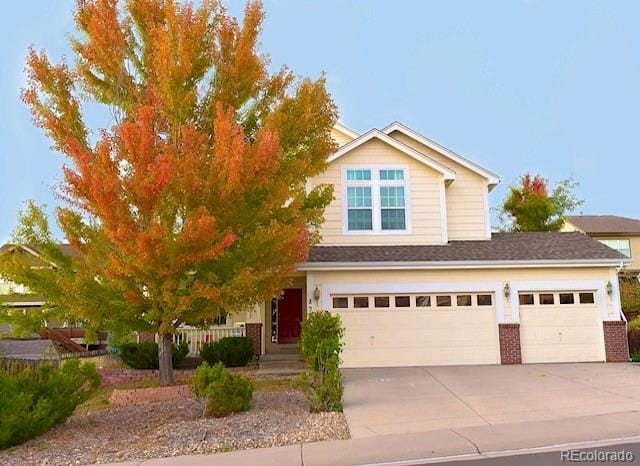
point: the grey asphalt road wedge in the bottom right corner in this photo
(627, 454)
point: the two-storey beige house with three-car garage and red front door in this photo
(409, 262)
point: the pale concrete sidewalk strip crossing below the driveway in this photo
(463, 443)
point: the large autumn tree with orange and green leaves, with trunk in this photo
(194, 201)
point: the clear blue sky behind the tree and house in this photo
(517, 86)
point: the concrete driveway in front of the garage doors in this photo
(418, 399)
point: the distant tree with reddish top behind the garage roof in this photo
(530, 207)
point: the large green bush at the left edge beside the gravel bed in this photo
(35, 400)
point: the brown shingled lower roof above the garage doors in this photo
(503, 249)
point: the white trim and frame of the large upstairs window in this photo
(375, 183)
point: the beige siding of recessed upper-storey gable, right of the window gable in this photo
(466, 210)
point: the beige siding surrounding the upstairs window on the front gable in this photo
(423, 197)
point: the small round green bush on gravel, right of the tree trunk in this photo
(223, 391)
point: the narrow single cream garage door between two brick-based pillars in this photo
(560, 327)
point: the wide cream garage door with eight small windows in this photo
(383, 330)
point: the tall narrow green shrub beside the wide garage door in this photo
(321, 345)
